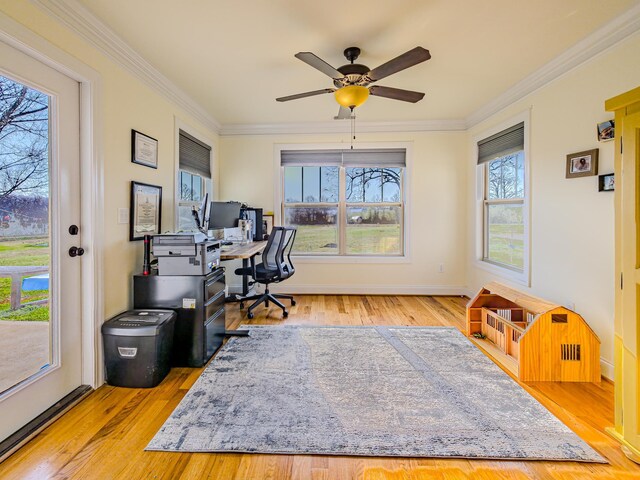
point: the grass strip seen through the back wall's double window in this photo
(361, 239)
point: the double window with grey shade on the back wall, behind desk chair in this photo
(345, 202)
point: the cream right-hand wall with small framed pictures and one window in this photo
(572, 224)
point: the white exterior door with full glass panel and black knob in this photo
(40, 308)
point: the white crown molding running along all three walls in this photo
(81, 21)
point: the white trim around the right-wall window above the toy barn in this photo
(521, 277)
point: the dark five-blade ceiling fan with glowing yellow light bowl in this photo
(352, 81)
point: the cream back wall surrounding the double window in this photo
(437, 229)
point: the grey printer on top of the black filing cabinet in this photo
(185, 254)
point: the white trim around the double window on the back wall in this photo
(278, 192)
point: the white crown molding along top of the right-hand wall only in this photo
(586, 49)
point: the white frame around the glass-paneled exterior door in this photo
(92, 183)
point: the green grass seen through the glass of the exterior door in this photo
(24, 252)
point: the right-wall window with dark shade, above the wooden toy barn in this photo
(503, 161)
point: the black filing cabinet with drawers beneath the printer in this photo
(199, 302)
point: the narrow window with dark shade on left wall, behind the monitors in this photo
(194, 179)
